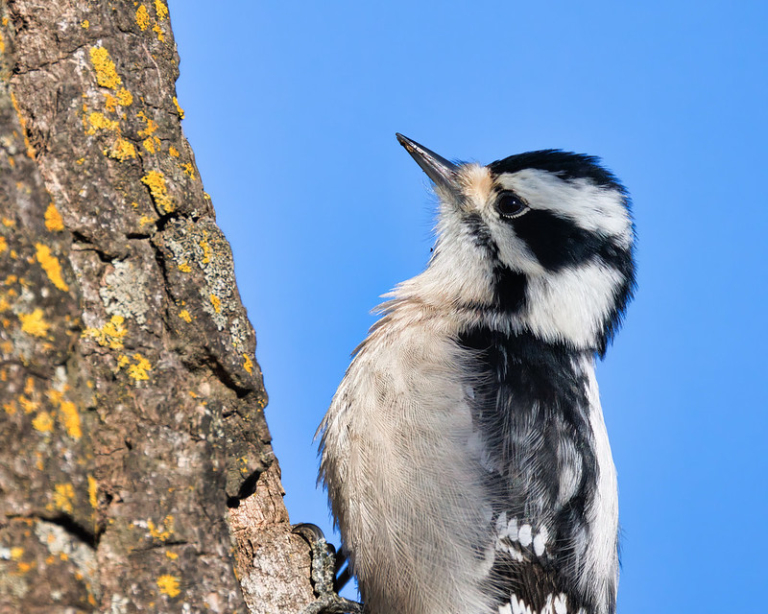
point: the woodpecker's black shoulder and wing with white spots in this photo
(532, 436)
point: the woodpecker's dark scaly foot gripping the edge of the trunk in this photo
(324, 569)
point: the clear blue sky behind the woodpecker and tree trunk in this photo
(291, 110)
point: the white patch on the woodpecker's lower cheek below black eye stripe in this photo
(573, 304)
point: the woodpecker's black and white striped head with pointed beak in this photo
(540, 242)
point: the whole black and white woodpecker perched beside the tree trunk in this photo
(465, 452)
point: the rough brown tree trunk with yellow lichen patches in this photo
(132, 404)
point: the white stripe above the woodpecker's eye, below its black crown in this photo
(591, 207)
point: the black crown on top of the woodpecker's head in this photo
(566, 165)
